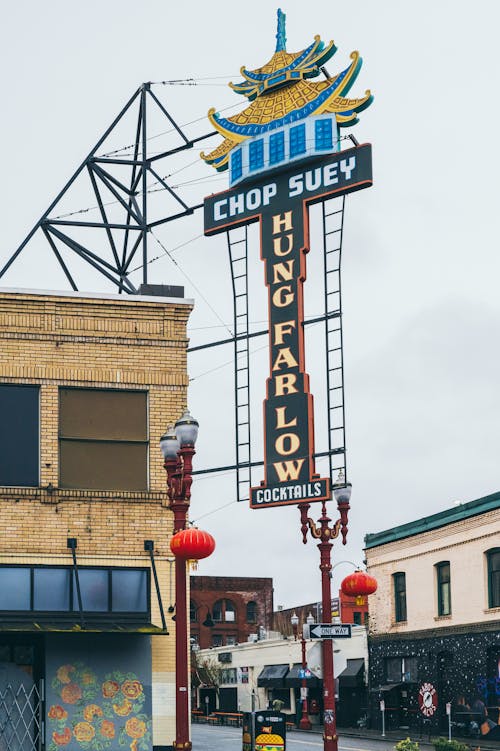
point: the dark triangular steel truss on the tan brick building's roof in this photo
(124, 180)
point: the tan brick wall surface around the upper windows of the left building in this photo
(108, 342)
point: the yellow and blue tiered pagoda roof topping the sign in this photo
(281, 92)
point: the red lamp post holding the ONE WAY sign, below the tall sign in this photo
(325, 534)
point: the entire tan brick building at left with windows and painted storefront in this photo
(88, 383)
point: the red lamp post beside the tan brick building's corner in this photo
(178, 451)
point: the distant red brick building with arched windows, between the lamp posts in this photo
(238, 607)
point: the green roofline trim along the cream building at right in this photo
(428, 523)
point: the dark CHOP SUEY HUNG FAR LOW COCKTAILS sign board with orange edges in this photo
(281, 207)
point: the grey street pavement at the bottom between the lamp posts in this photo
(221, 738)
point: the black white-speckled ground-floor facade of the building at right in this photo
(463, 665)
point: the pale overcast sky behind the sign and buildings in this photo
(420, 258)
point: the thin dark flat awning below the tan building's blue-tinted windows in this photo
(71, 627)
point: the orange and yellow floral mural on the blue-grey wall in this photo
(97, 713)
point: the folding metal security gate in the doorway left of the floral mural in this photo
(21, 717)
